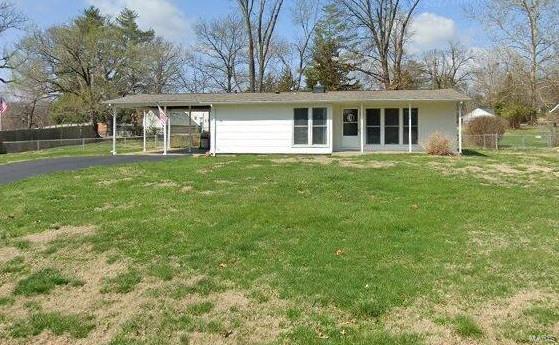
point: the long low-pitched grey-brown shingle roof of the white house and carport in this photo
(193, 99)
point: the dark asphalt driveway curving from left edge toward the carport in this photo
(12, 172)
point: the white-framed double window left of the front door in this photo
(310, 125)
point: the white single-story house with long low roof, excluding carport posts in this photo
(317, 122)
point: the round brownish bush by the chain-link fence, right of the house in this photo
(485, 131)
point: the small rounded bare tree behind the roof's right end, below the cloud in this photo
(448, 68)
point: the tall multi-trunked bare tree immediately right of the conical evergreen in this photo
(382, 27)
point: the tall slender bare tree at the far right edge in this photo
(529, 27)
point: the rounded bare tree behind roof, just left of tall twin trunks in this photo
(221, 43)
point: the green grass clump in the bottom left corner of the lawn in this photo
(75, 325)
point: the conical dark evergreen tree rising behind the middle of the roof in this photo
(329, 66)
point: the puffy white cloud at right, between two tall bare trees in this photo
(431, 31)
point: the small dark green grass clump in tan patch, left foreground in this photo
(43, 282)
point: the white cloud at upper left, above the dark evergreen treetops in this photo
(161, 15)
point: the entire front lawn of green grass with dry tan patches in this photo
(376, 249)
